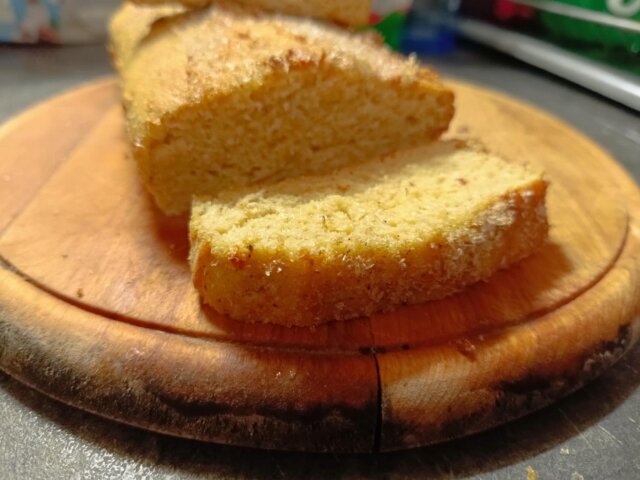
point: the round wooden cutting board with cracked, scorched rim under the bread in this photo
(97, 308)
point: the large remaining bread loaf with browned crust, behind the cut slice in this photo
(228, 96)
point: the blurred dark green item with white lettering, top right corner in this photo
(604, 35)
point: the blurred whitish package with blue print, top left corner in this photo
(55, 21)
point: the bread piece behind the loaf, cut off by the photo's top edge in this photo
(347, 12)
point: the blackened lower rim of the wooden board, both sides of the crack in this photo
(336, 427)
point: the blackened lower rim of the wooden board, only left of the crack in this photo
(333, 427)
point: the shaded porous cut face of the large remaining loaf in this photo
(302, 122)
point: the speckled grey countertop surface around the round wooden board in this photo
(593, 434)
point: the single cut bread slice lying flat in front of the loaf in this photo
(402, 229)
